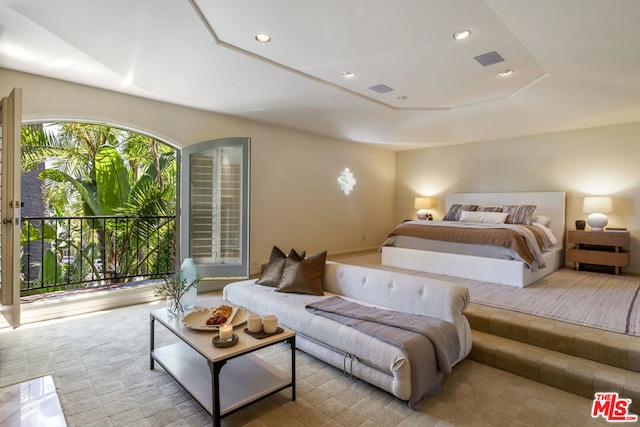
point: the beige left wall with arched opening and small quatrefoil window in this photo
(295, 197)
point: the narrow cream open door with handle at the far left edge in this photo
(10, 145)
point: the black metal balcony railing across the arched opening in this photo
(65, 253)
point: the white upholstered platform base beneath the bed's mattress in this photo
(505, 272)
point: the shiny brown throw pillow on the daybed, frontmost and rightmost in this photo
(304, 277)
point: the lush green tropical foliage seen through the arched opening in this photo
(96, 171)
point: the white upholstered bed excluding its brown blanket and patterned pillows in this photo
(468, 261)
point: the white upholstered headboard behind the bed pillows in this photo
(551, 204)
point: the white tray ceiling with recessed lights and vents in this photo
(576, 63)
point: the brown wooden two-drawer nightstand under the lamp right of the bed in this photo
(599, 248)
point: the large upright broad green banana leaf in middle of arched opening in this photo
(112, 180)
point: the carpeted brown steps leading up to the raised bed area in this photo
(577, 359)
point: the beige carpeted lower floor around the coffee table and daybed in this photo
(100, 366)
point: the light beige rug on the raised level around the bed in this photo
(597, 300)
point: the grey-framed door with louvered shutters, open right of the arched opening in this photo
(214, 213)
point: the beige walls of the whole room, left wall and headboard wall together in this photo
(295, 200)
